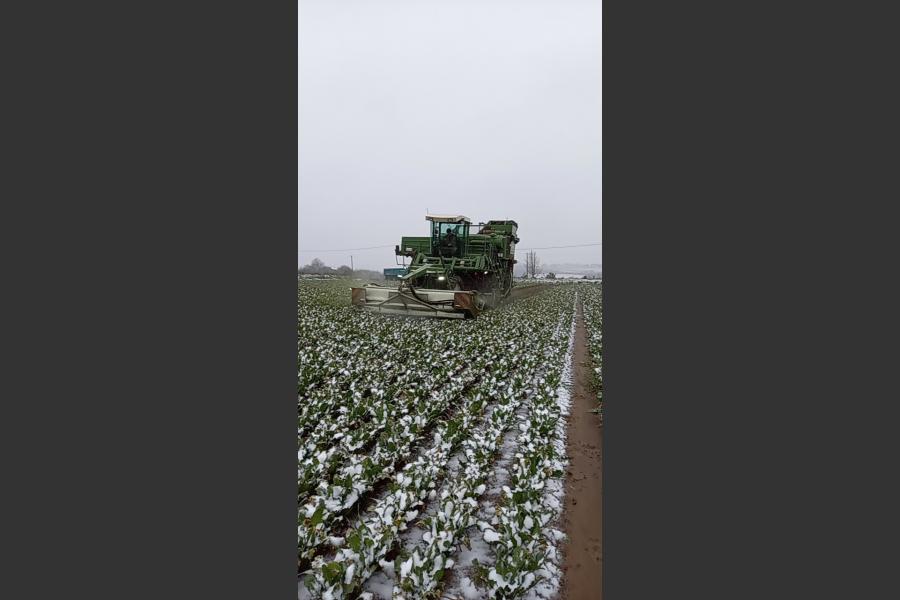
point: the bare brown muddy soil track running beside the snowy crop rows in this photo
(582, 516)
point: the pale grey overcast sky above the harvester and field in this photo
(486, 108)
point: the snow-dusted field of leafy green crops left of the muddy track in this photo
(431, 453)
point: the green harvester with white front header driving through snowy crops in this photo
(453, 274)
